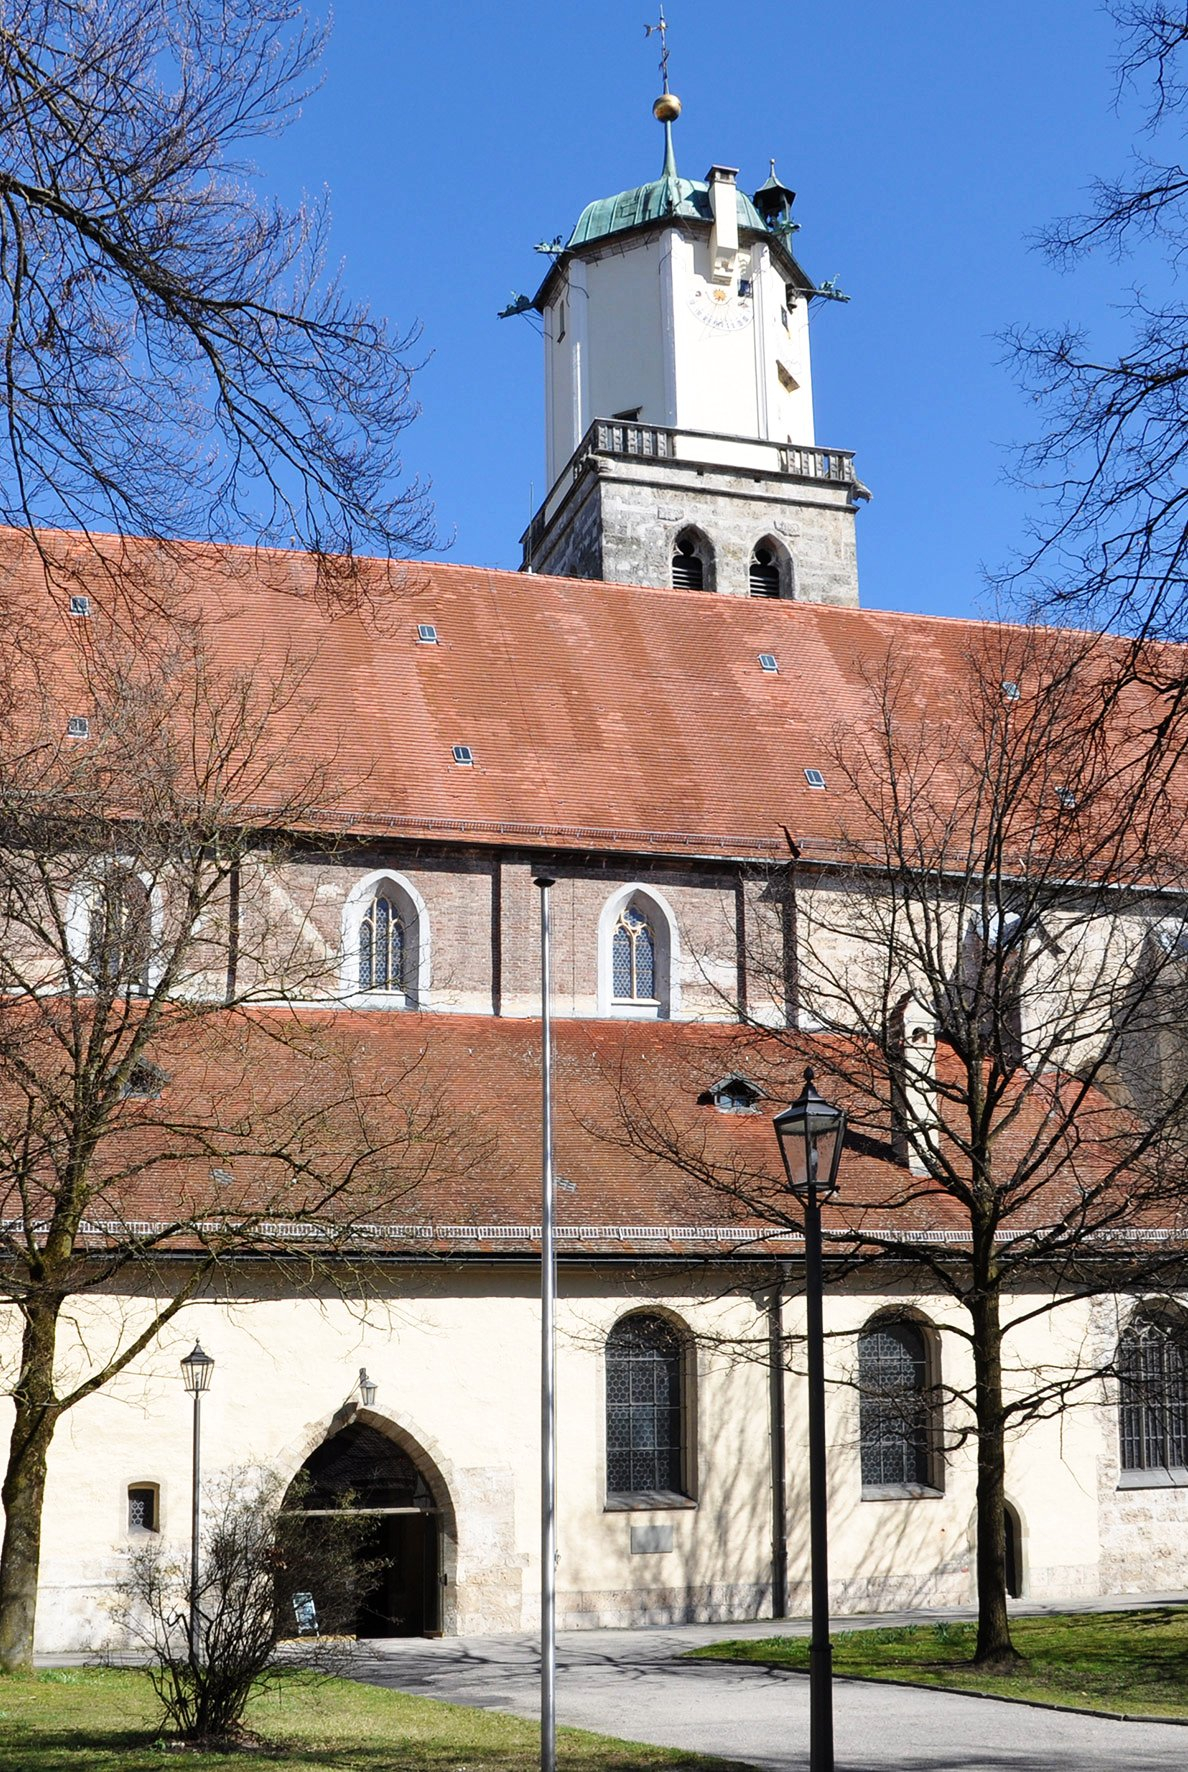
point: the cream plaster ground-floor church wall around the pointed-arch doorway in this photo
(455, 1355)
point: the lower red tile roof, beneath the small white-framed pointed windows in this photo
(223, 1139)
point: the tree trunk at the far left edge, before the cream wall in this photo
(24, 1489)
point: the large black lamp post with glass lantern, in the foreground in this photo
(811, 1135)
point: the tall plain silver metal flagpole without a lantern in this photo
(549, 1360)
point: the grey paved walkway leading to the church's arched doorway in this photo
(634, 1684)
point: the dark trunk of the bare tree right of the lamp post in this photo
(994, 1628)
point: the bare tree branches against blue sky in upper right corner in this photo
(1113, 536)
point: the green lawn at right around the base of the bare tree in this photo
(1134, 1663)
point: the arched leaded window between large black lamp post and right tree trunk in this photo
(895, 1406)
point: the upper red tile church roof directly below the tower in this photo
(598, 715)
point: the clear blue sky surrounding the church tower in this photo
(926, 143)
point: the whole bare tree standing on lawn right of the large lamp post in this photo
(985, 965)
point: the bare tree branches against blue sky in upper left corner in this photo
(176, 361)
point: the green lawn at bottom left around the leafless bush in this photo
(106, 1721)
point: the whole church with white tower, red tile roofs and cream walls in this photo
(629, 715)
